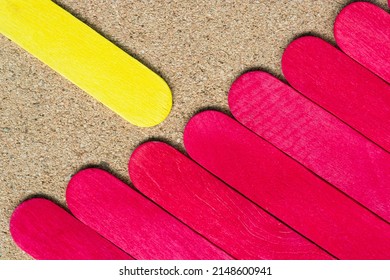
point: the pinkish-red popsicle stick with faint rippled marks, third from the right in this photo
(315, 138)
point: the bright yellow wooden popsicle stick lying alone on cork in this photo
(87, 59)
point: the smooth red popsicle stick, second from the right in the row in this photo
(340, 85)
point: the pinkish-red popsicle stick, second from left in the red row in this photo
(132, 222)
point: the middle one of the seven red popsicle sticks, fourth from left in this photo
(285, 188)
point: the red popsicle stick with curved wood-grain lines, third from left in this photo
(213, 209)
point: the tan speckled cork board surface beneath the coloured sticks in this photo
(50, 129)
